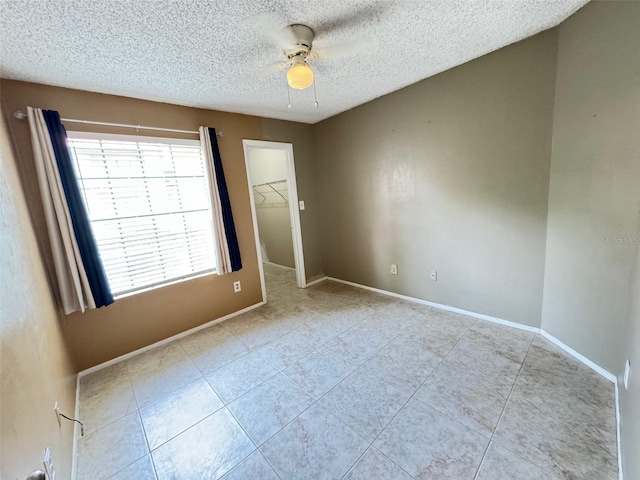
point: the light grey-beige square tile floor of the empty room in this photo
(337, 382)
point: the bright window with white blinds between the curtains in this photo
(148, 203)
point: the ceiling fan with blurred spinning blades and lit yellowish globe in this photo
(296, 42)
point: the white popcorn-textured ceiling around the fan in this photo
(210, 54)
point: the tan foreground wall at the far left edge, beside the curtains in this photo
(36, 368)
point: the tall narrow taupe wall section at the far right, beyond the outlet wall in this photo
(594, 196)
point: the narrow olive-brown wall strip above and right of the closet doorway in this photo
(302, 137)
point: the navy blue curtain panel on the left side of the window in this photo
(79, 218)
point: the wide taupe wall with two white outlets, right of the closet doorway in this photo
(450, 174)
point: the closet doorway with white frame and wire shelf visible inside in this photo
(274, 205)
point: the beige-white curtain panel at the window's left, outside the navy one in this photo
(71, 276)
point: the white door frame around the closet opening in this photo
(294, 212)
